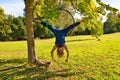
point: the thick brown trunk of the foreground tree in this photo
(30, 33)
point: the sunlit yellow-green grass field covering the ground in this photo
(89, 60)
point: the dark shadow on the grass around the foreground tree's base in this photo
(19, 69)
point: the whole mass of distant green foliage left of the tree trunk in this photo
(12, 28)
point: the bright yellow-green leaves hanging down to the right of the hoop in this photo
(91, 14)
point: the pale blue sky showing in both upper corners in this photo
(15, 7)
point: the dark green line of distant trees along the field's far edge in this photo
(13, 28)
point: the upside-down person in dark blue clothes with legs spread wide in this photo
(60, 39)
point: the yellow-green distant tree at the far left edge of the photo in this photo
(5, 30)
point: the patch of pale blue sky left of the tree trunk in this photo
(14, 7)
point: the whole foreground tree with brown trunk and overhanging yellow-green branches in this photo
(87, 8)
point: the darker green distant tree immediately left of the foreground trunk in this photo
(18, 29)
